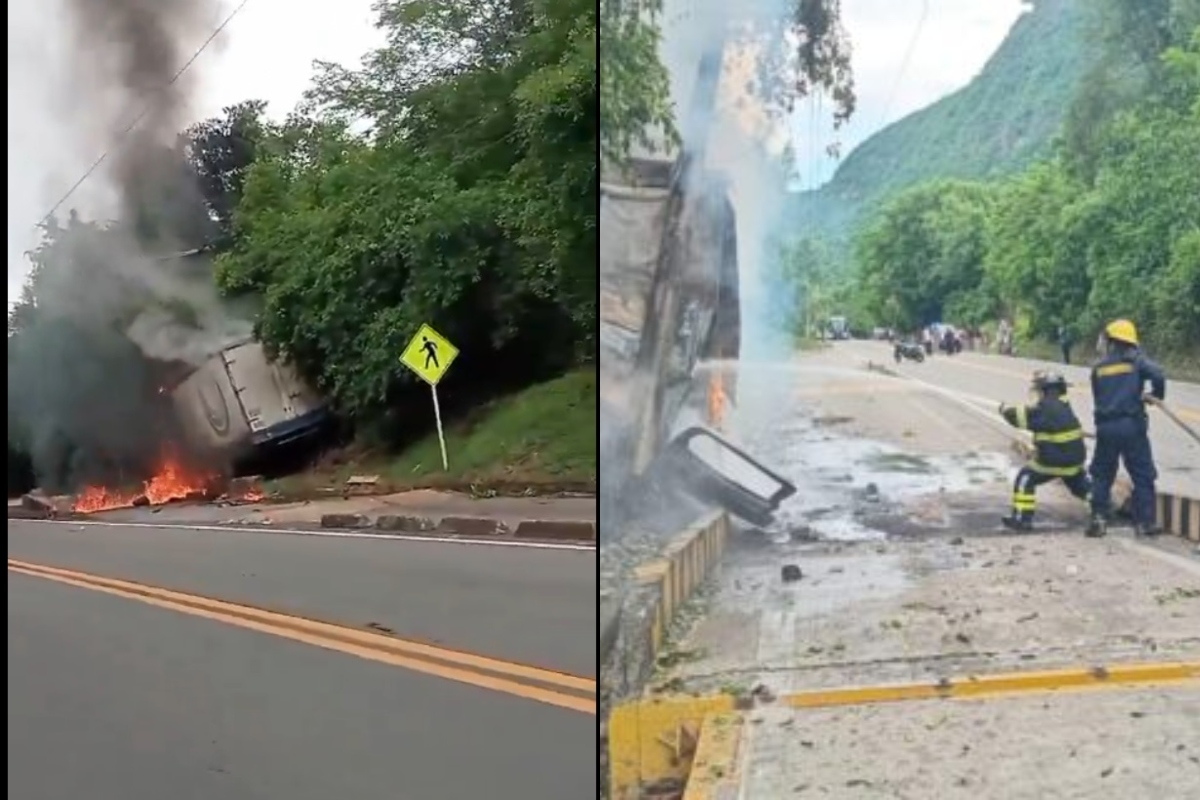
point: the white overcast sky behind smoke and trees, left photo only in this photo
(266, 53)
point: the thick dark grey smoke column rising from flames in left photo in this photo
(107, 314)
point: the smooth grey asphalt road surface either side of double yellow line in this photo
(111, 697)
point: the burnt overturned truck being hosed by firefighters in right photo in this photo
(669, 302)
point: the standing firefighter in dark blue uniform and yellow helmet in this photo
(1123, 428)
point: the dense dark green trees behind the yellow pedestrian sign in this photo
(470, 206)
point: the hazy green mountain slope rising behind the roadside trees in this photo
(1000, 123)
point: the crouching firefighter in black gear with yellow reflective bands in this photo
(1059, 441)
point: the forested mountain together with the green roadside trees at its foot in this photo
(1095, 216)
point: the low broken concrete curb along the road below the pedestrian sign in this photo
(470, 527)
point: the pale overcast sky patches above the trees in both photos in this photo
(266, 53)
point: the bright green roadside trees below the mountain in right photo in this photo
(1054, 246)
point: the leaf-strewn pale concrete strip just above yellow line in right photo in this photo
(919, 611)
